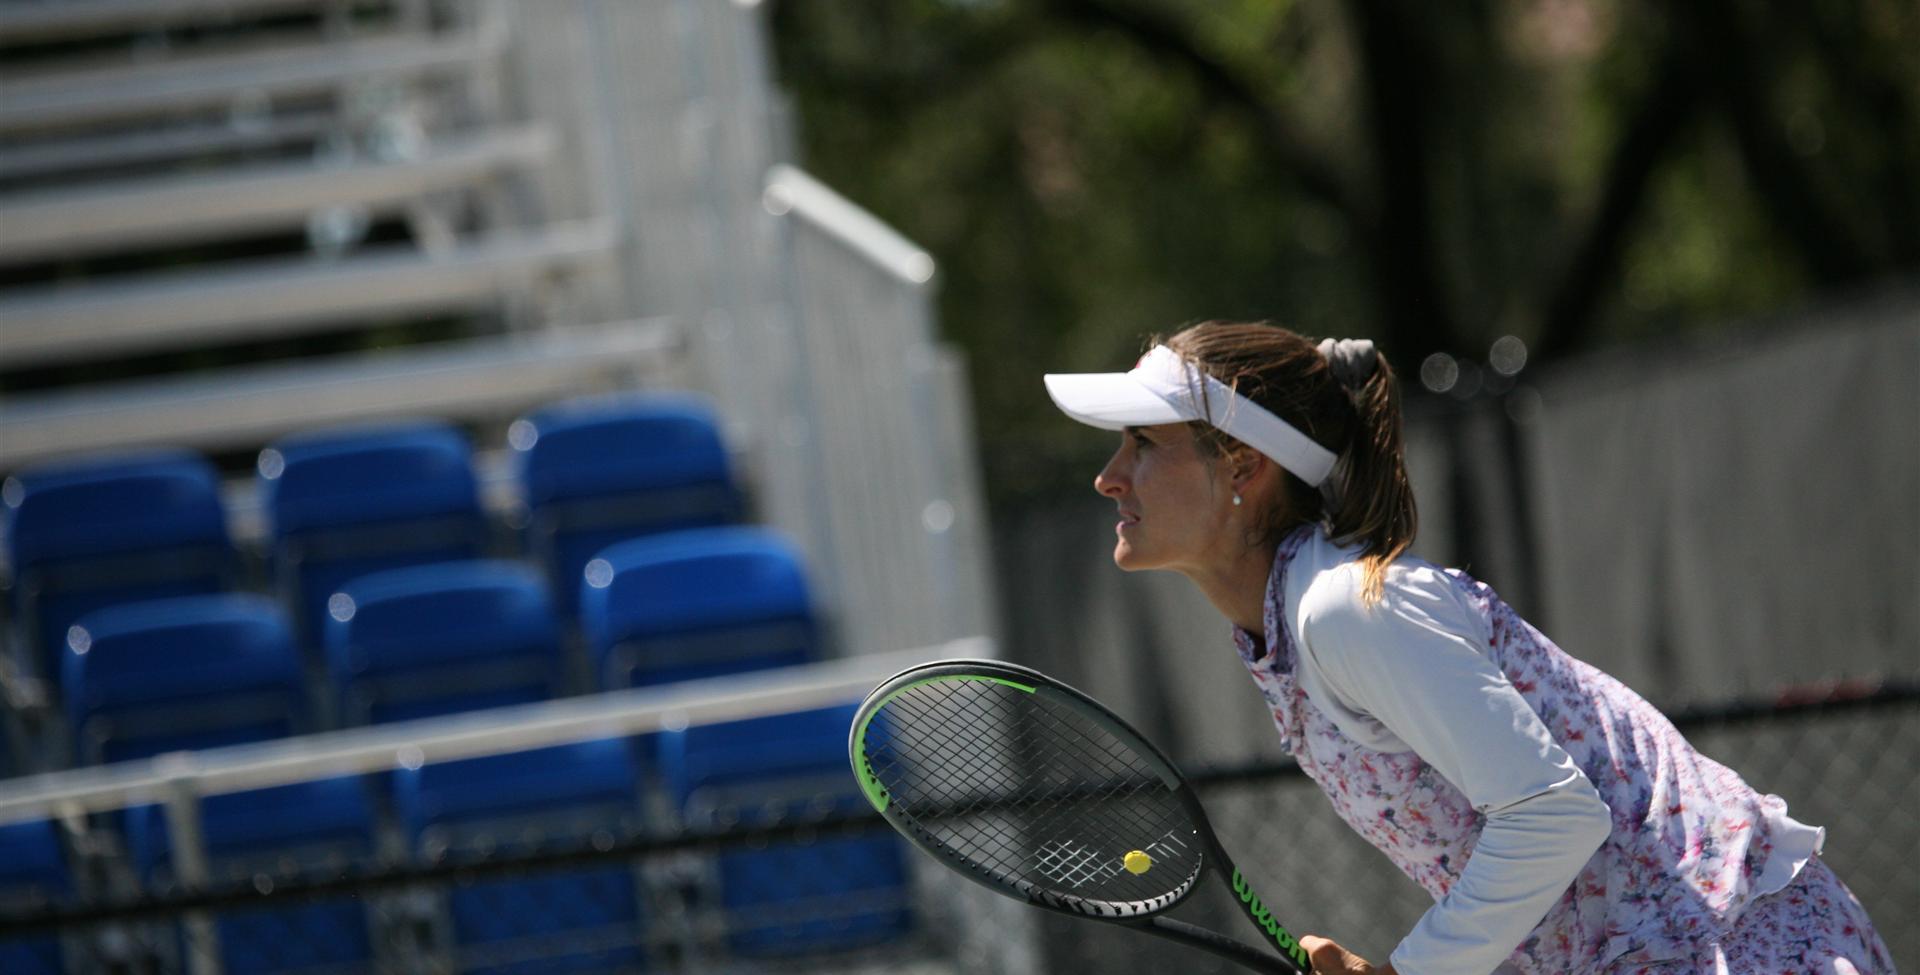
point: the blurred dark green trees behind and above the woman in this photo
(1431, 176)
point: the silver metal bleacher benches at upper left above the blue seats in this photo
(208, 178)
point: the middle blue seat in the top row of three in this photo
(343, 504)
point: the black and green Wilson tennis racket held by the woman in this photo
(1038, 792)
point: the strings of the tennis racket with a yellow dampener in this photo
(1032, 794)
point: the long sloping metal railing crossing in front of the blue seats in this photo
(181, 780)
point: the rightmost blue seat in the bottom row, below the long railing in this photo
(825, 895)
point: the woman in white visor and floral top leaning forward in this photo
(1558, 820)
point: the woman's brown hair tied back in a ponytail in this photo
(1289, 377)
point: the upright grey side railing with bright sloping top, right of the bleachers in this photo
(888, 454)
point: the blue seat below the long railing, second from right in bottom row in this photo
(554, 922)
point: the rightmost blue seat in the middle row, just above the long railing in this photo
(694, 606)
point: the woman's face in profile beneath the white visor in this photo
(1174, 504)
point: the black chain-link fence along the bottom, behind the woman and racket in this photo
(815, 886)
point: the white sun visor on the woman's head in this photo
(1163, 389)
